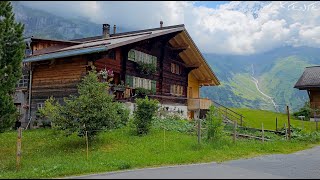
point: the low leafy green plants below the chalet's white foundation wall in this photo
(173, 122)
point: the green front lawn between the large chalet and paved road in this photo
(47, 154)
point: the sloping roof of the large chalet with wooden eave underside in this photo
(192, 56)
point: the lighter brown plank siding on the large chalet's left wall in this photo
(58, 79)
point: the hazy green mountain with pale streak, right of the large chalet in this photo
(277, 71)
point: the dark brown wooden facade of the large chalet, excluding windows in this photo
(59, 77)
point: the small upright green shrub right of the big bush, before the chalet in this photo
(144, 114)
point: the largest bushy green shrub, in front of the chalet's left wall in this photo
(93, 110)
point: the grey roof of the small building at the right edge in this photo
(309, 79)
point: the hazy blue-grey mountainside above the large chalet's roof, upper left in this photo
(43, 24)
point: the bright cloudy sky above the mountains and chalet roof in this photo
(223, 27)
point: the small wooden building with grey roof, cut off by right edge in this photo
(310, 81)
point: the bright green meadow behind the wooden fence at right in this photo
(254, 118)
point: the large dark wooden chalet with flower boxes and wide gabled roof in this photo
(55, 67)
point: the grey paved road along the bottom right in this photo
(302, 164)
